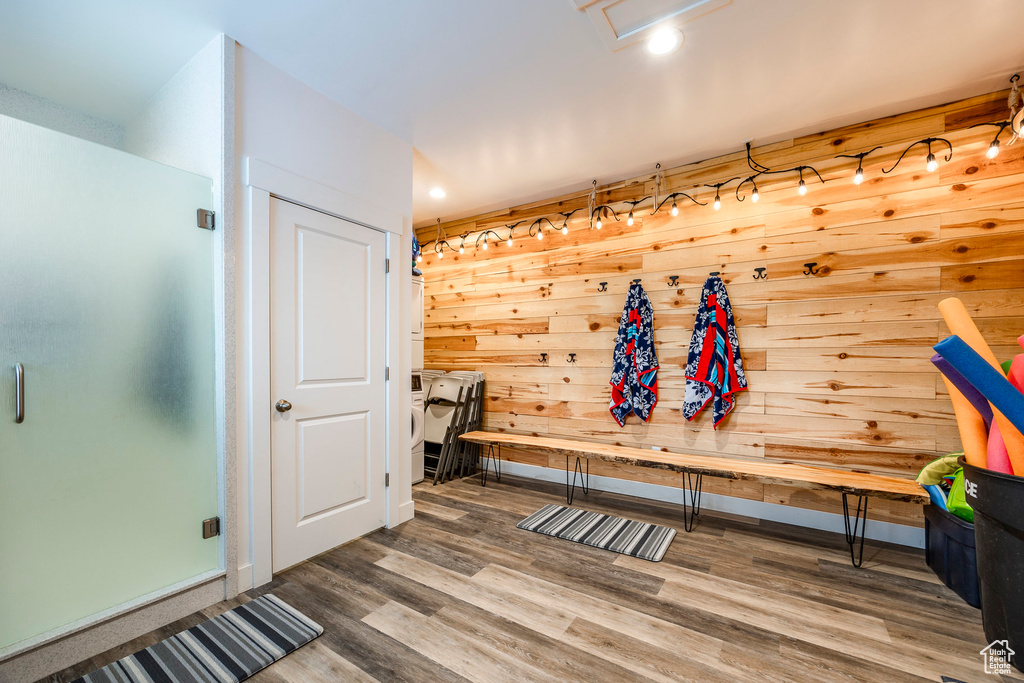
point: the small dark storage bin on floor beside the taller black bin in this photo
(950, 551)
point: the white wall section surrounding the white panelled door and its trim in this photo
(287, 124)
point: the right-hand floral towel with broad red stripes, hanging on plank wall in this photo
(714, 367)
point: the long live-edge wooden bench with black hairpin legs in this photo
(694, 467)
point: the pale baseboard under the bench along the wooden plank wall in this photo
(900, 534)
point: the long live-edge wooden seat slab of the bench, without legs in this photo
(857, 484)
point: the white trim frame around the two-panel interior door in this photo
(264, 182)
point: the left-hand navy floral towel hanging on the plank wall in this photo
(634, 374)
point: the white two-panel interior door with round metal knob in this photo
(328, 353)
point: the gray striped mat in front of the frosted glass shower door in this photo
(225, 650)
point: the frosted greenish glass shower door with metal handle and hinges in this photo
(107, 302)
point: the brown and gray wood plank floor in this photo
(460, 593)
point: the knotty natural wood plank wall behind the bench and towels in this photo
(838, 363)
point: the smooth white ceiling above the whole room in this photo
(510, 101)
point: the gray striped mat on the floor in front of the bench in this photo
(642, 540)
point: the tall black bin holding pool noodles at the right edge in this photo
(999, 529)
